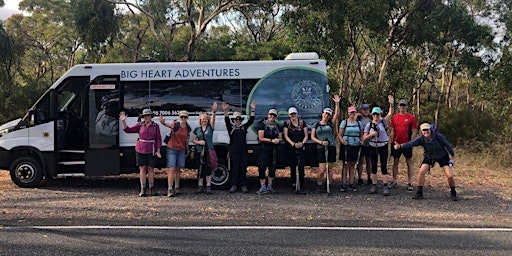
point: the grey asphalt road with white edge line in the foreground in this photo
(252, 241)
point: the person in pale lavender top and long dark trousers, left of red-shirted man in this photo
(375, 133)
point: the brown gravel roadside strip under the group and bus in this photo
(114, 201)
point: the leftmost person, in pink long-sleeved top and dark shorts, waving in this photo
(146, 148)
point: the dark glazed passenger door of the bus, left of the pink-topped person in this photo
(102, 153)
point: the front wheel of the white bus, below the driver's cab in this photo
(26, 172)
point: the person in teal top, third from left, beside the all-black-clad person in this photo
(202, 137)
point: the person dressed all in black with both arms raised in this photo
(238, 155)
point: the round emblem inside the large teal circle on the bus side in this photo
(306, 94)
